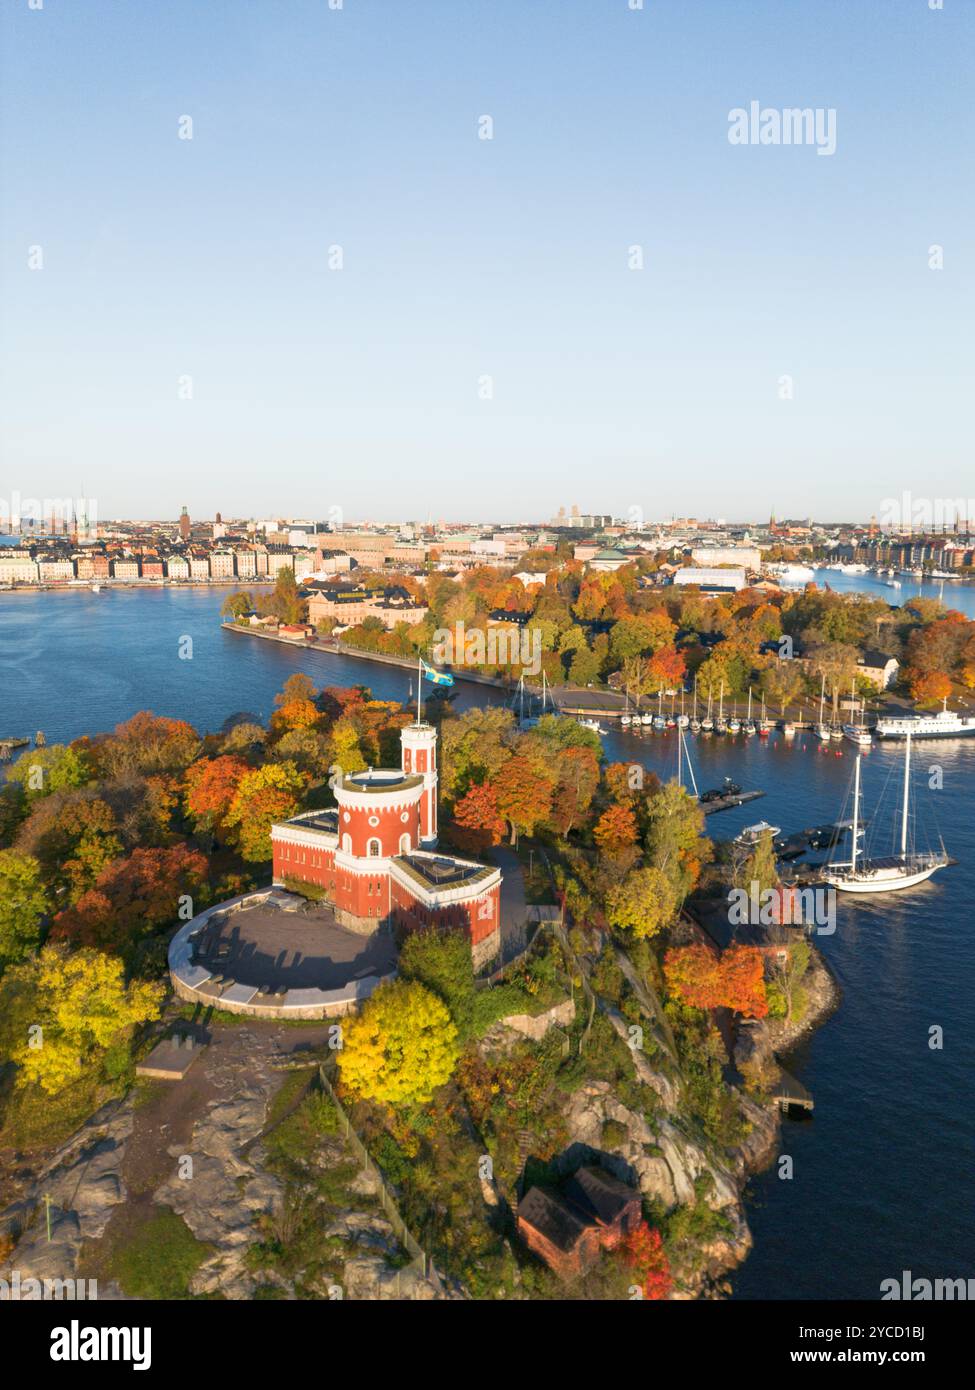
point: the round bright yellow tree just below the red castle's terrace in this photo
(401, 1047)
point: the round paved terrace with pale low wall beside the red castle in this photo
(275, 954)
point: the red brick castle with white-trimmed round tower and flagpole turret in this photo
(376, 860)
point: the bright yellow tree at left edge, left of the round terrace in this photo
(77, 1006)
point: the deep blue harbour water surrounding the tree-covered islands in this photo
(883, 1171)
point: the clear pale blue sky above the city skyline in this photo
(464, 258)
